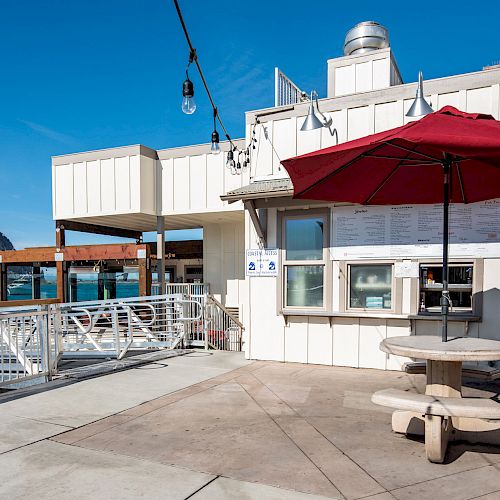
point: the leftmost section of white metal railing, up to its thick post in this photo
(27, 346)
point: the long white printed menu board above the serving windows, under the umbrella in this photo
(415, 231)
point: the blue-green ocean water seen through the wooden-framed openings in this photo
(87, 290)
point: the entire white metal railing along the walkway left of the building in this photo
(33, 340)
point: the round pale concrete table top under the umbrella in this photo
(431, 347)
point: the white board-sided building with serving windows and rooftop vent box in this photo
(334, 298)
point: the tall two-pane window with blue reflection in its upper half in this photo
(305, 260)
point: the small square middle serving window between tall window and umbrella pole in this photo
(370, 286)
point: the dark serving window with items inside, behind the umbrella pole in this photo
(460, 285)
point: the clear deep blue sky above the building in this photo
(83, 75)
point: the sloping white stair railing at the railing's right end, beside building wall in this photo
(223, 330)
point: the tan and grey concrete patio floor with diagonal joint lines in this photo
(215, 426)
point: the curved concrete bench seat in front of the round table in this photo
(441, 406)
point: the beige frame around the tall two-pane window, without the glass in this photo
(325, 262)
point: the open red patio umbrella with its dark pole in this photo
(447, 156)
